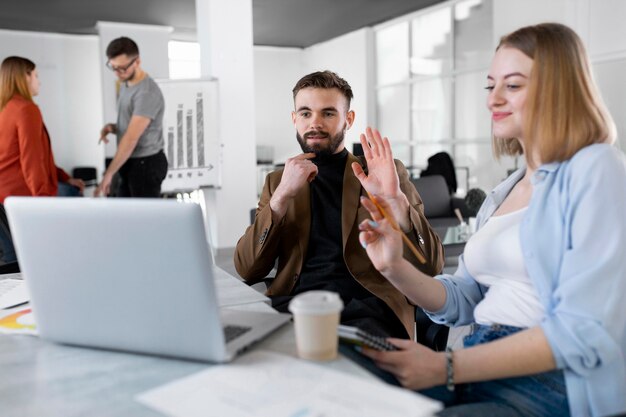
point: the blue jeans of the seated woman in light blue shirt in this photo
(536, 395)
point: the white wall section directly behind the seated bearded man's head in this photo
(278, 69)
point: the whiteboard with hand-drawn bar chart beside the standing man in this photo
(191, 134)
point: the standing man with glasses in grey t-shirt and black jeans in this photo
(139, 159)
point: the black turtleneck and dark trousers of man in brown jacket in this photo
(324, 266)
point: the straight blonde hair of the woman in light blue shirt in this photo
(564, 110)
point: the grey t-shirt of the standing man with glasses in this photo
(143, 99)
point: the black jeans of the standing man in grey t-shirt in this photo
(142, 177)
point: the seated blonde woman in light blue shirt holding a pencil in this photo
(543, 279)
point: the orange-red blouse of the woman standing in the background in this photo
(26, 162)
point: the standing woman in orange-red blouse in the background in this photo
(26, 162)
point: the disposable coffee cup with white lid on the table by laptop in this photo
(316, 316)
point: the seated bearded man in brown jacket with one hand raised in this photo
(307, 219)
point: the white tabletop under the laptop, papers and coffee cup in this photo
(40, 378)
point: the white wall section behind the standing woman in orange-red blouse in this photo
(70, 97)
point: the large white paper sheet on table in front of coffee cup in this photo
(268, 384)
